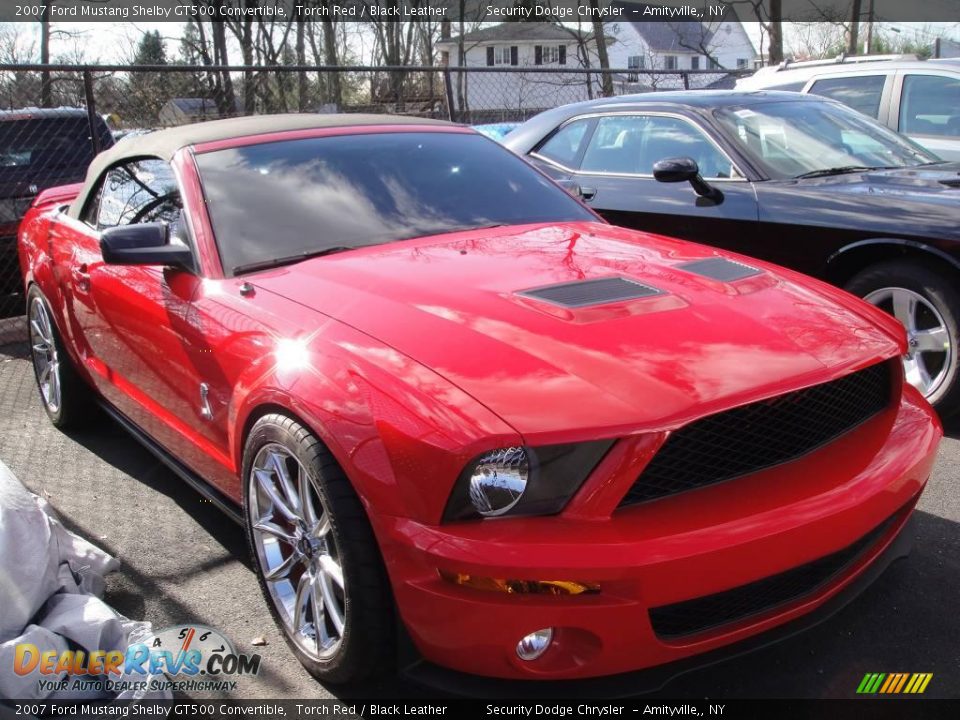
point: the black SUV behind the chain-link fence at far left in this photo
(39, 148)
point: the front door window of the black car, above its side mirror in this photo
(632, 144)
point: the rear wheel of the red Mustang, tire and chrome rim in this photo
(65, 396)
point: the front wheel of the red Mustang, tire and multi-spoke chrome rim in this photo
(316, 557)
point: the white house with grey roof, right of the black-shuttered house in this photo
(647, 40)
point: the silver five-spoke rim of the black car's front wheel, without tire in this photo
(929, 352)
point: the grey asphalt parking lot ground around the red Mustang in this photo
(183, 561)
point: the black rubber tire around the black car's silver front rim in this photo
(937, 290)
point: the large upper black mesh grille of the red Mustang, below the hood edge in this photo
(763, 434)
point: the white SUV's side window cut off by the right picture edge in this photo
(930, 105)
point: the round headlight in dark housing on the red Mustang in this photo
(523, 480)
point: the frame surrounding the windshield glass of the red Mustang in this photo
(227, 269)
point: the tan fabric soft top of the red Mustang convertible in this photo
(164, 144)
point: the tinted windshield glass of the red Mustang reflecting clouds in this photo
(273, 203)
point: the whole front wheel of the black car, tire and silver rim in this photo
(924, 301)
